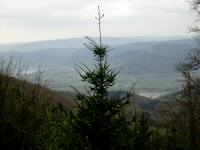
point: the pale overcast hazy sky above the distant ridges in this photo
(30, 20)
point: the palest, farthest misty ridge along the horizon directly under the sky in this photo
(75, 43)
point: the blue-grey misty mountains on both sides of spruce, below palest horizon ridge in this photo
(137, 57)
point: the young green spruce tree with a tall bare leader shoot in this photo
(99, 118)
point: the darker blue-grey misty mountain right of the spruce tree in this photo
(152, 57)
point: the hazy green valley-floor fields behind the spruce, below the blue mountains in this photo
(151, 82)
